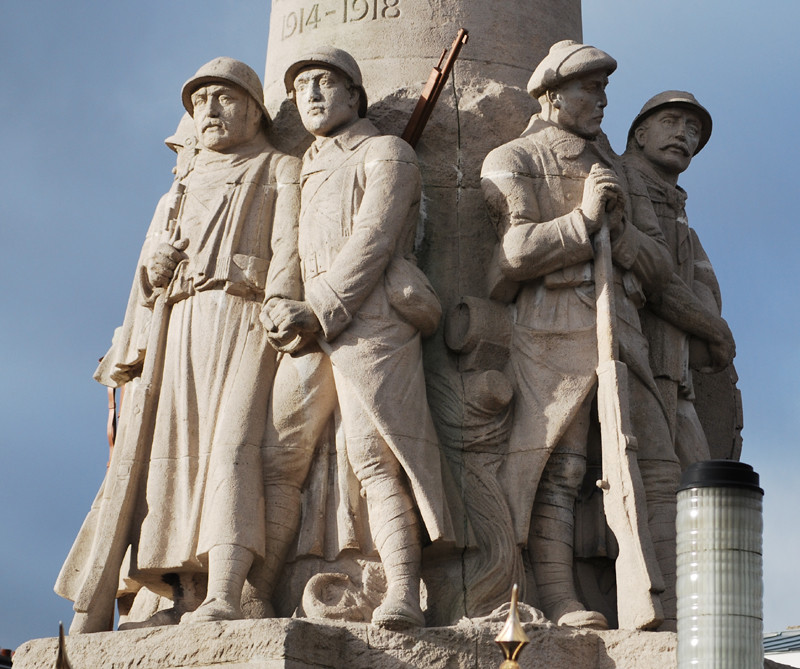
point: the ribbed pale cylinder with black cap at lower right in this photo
(719, 577)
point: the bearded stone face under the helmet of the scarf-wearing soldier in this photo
(225, 116)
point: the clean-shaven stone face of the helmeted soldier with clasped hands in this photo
(325, 101)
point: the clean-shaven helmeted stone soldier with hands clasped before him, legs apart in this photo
(356, 336)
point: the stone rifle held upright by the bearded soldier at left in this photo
(94, 604)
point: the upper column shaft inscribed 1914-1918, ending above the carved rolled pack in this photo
(396, 43)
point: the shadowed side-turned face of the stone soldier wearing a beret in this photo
(580, 103)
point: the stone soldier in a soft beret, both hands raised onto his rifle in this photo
(547, 193)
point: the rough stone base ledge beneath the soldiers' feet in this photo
(303, 644)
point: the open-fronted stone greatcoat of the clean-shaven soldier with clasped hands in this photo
(358, 220)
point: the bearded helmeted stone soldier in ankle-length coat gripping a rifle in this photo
(195, 504)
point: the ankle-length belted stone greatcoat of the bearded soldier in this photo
(202, 483)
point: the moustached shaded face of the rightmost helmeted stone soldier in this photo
(669, 138)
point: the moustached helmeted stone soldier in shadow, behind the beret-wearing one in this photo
(671, 128)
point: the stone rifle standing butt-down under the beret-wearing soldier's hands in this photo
(639, 578)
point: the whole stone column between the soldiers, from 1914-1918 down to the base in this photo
(396, 43)
